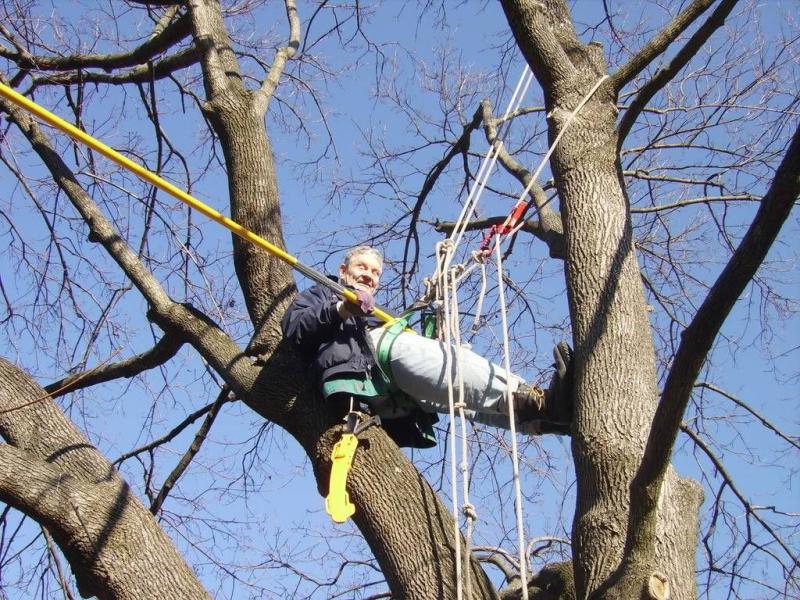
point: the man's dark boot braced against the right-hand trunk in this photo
(551, 408)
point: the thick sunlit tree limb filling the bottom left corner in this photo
(52, 473)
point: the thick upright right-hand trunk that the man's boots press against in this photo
(615, 376)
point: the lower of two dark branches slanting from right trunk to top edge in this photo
(665, 75)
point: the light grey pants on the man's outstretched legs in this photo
(419, 368)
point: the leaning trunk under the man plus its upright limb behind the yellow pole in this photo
(401, 517)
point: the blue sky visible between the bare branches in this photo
(272, 492)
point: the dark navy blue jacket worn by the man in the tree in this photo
(328, 344)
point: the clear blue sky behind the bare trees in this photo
(273, 492)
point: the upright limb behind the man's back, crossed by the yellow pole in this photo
(238, 120)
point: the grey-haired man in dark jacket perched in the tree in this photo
(337, 340)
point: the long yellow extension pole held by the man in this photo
(150, 177)
